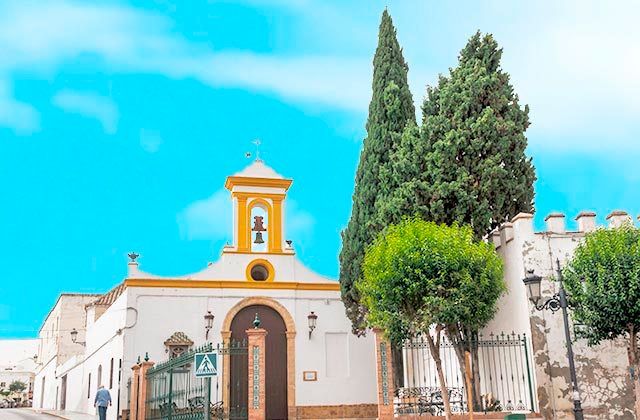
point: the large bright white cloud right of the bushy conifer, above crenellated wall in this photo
(579, 75)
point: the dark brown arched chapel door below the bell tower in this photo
(275, 354)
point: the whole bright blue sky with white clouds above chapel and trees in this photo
(119, 122)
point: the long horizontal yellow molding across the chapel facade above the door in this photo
(230, 284)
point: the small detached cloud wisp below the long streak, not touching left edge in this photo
(89, 105)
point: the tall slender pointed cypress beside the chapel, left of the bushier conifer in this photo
(390, 109)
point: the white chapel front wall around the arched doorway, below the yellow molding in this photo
(163, 311)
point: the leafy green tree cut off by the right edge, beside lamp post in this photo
(603, 280)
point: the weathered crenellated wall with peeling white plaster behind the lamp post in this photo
(602, 370)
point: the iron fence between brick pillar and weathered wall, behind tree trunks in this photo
(503, 372)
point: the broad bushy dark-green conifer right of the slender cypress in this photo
(473, 127)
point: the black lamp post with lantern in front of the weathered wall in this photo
(555, 303)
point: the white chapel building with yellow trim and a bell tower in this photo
(323, 368)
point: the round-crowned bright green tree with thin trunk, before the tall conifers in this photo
(424, 278)
